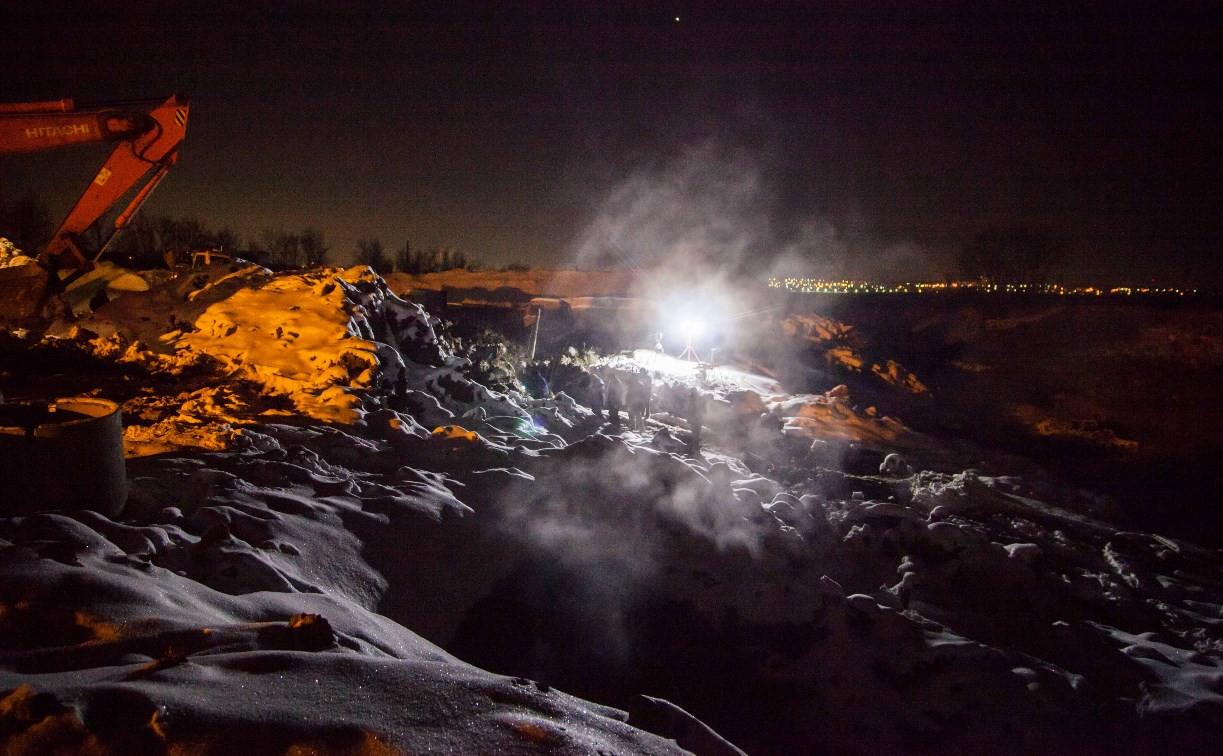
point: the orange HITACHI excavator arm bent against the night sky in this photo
(149, 138)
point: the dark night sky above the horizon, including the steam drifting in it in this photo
(818, 136)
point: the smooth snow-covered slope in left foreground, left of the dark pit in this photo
(232, 610)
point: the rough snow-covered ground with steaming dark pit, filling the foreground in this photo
(336, 541)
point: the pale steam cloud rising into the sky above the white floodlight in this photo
(716, 215)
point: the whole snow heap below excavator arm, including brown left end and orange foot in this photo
(245, 346)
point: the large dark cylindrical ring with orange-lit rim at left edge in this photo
(65, 454)
